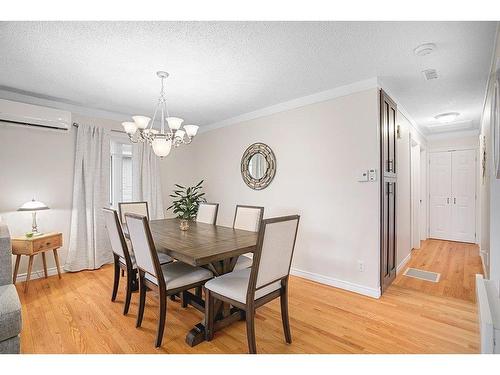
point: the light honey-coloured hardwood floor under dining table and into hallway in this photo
(76, 315)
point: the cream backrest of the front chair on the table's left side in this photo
(142, 242)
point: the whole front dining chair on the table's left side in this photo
(167, 279)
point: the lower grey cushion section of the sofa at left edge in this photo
(10, 312)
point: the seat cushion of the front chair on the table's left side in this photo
(179, 274)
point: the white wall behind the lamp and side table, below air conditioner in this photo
(37, 162)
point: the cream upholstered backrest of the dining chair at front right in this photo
(273, 256)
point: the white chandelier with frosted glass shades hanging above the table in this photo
(141, 129)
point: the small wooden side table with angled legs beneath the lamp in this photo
(33, 246)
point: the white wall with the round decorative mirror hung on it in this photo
(320, 150)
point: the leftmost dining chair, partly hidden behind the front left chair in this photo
(123, 258)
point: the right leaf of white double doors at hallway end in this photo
(463, 207)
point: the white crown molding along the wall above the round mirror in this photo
(295, 103)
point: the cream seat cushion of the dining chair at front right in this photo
(234, 285)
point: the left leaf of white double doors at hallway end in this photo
(440, 195)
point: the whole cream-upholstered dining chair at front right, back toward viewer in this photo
(253, 287)
